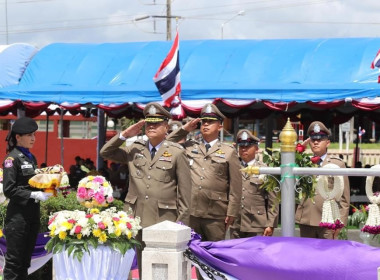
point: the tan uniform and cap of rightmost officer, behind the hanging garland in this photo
(309, 214)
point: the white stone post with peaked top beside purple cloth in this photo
(162, 258)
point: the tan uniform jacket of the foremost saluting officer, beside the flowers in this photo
(159, 189)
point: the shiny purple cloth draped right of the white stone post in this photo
(289, 258)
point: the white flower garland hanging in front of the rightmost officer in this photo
(330, 210)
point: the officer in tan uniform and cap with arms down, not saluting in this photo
(259, 208)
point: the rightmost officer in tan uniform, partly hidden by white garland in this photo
(309, 214)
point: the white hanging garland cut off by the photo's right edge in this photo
(372, 224)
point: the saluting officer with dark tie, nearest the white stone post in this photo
(159, 181)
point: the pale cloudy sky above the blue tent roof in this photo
(42, 22)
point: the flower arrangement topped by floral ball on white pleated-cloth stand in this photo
(82, 240)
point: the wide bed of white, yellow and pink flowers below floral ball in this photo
(75, 231)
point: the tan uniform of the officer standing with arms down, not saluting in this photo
(259, 208)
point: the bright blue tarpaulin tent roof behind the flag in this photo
(274, 70)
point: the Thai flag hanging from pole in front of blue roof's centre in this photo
(167, 78)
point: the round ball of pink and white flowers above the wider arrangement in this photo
(94, 191)
